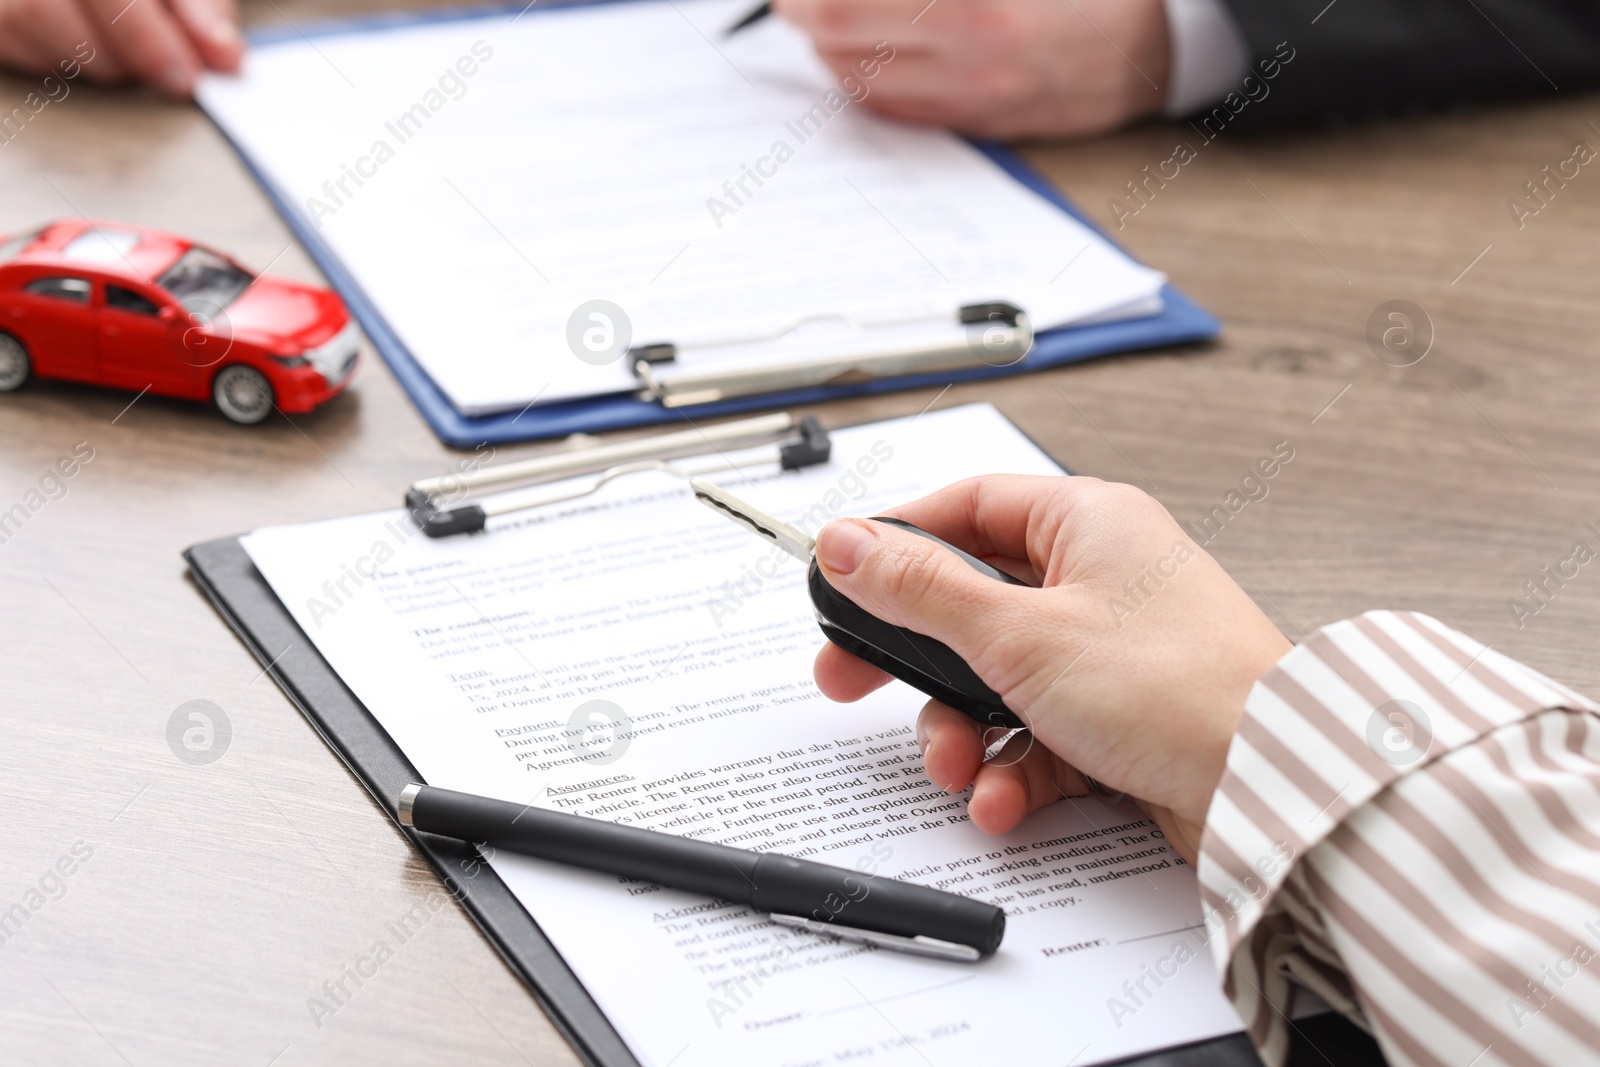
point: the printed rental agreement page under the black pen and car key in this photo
(482, 658)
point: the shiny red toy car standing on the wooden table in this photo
(140, 310)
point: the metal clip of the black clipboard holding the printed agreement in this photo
(441, 508)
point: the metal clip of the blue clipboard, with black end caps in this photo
(983, 335)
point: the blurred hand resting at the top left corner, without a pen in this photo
(161, 42)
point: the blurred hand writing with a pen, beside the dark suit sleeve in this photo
(999, 68)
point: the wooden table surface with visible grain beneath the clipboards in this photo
(218, 898)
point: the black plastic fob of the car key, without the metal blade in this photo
(916, 660)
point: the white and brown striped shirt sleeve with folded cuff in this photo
(1410, 828)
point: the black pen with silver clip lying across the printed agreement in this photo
(798, 893)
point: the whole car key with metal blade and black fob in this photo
(914, 658)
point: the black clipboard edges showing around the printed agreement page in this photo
(230, 580)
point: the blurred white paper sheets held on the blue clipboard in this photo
(713, 190)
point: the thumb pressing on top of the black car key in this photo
(921, 586)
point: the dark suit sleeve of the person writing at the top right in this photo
(1374, 58)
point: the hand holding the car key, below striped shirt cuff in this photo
(1130, 663)
